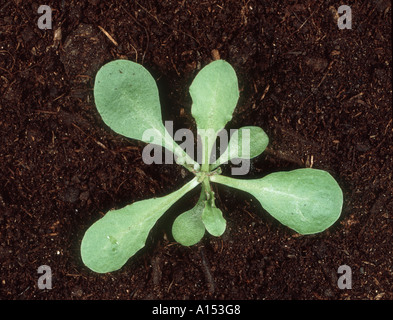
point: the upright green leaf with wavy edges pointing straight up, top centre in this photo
(214, 94)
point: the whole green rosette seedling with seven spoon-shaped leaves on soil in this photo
(126, 96)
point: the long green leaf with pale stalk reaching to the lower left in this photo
(112, 240)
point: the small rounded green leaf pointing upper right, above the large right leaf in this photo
(245, 143)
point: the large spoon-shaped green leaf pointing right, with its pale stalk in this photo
(306, 200)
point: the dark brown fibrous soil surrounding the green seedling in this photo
(323, 95)
